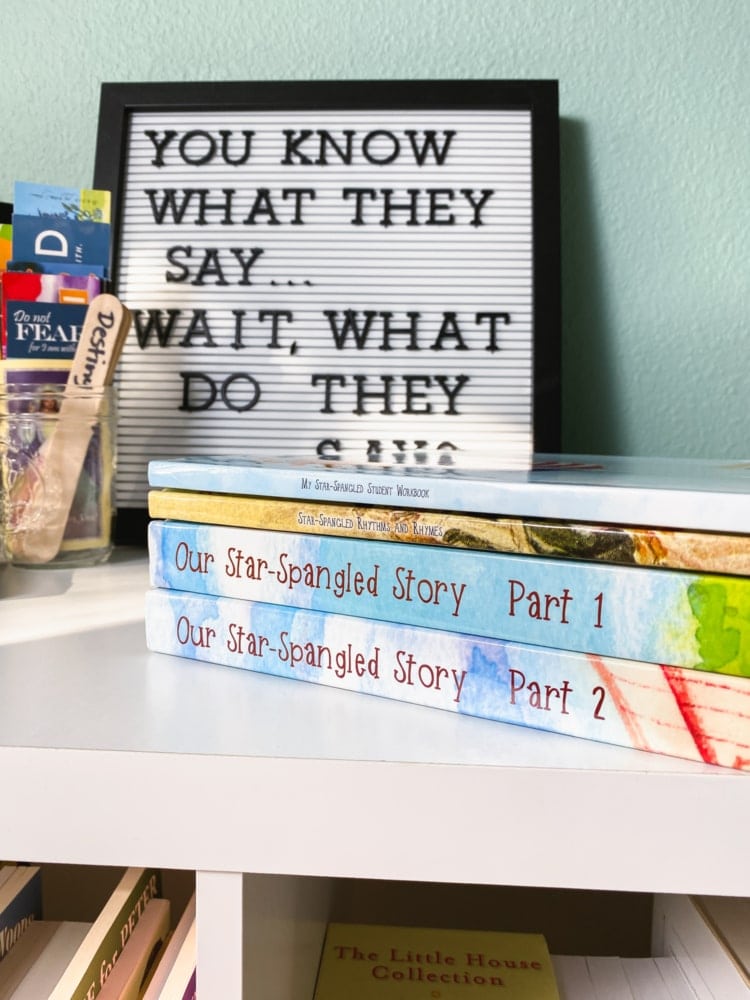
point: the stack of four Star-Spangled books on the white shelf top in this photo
(604, 598)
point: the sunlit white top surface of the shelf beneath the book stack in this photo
(76, 639)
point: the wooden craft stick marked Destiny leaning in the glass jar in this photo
(41, 503)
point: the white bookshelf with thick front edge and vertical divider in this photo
(270, 790)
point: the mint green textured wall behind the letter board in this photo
(655, 160)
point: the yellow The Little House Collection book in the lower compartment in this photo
(374, 961)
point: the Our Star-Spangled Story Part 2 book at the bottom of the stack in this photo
(671, 711)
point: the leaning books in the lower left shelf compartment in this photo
(131, 951)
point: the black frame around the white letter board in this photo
(119, 102)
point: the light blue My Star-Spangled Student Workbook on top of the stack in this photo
(698, 495)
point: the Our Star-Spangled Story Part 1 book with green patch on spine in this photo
(682, 619)
